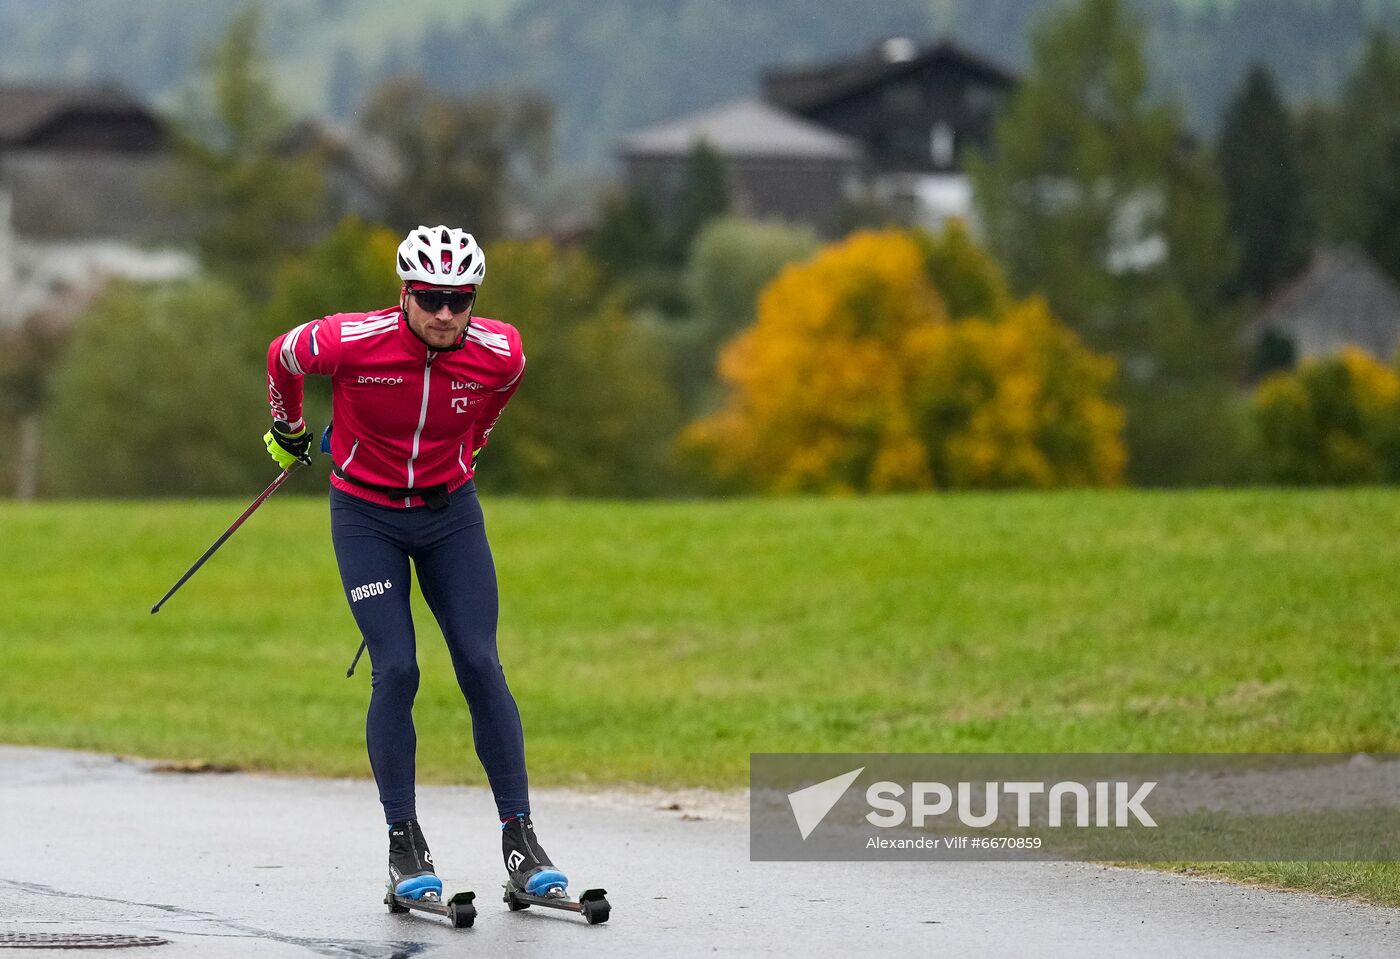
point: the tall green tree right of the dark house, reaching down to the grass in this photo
(1094, 199)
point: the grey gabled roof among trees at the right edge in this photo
(1342, 299)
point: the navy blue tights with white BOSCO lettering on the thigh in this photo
(454, 566)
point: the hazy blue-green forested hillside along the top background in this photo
(617, 65)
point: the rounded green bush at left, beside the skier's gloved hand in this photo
(160, 394)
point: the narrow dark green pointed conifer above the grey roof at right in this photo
(1263, 187)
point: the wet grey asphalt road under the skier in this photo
(255, 866)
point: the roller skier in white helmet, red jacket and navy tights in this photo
(416, 390)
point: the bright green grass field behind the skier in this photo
(664, 642)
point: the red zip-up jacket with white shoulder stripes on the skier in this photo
(407, 416)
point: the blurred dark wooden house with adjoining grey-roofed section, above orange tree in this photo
(891, 128)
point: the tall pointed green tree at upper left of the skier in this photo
(250, 204)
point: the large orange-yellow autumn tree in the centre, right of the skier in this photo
(853, 379)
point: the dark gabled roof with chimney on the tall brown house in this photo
(801, 89)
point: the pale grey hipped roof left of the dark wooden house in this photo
(743, 128)
